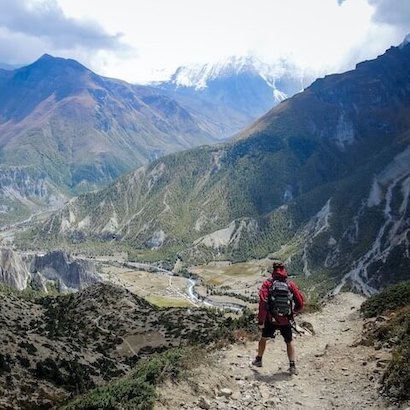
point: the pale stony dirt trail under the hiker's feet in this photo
(333, 371)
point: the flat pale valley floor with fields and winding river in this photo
(219, 285)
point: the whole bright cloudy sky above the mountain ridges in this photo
(144, 40)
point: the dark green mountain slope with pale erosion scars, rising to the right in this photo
(321, 181)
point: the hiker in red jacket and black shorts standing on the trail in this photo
(288, 300)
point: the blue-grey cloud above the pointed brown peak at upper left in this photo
(31, 28)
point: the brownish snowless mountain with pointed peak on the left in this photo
(65, 130)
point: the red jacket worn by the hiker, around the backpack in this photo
(298, 299)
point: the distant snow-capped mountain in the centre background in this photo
(246, 85)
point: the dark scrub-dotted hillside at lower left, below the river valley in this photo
(58, 346)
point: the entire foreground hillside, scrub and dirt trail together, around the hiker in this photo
(104, 347)
